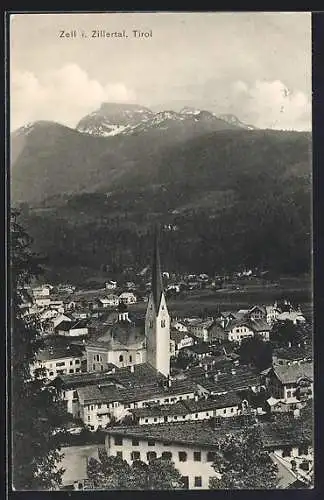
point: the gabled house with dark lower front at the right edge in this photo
(291, 383)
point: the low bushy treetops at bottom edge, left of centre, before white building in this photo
(113, 473)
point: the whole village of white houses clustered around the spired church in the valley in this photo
(153, 384)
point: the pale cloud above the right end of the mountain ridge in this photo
(270, 104)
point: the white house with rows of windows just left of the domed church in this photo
(59, 360)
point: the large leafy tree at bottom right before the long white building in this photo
(241, 463)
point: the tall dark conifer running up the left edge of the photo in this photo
(36, 409)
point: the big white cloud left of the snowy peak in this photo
(64, 95)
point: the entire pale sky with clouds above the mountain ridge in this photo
(256, 66)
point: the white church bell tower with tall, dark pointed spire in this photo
(157, 319)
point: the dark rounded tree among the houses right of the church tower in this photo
(256, 351)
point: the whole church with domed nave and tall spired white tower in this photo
(127, 343)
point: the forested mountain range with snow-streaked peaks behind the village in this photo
(100, 186)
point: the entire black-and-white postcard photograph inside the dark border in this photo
(160, 246)
